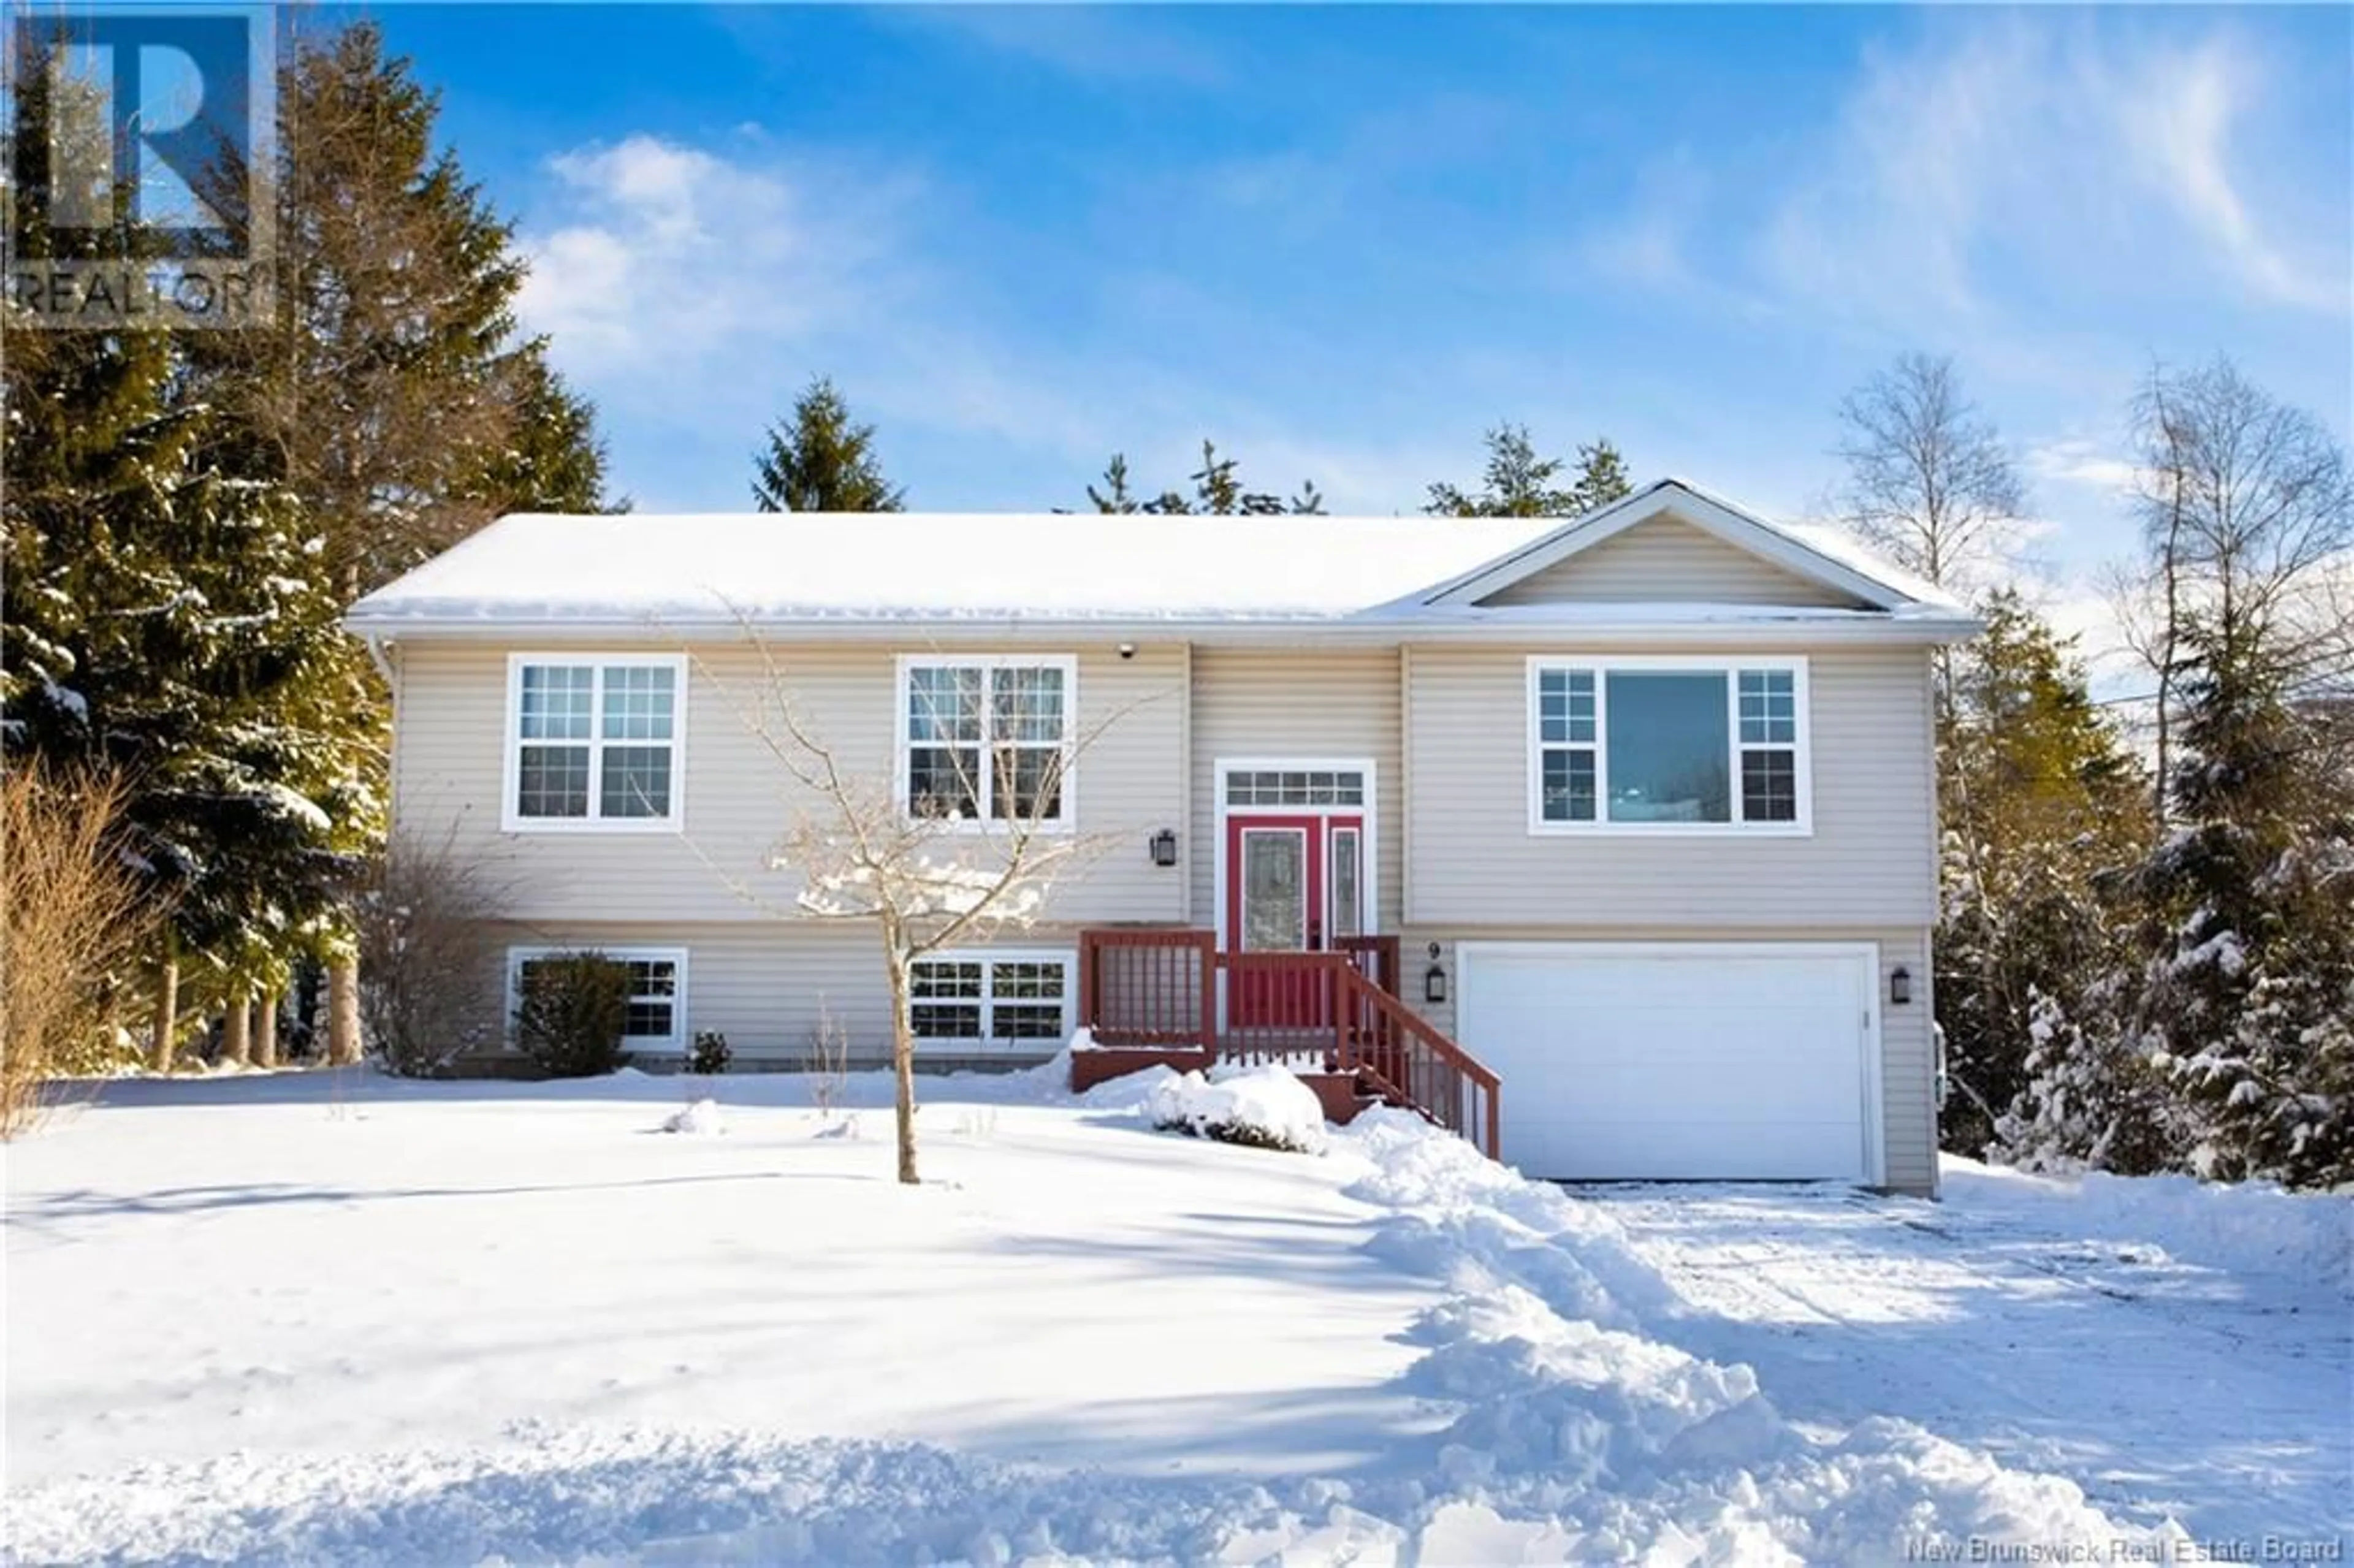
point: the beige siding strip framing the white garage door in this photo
(1908, 1051)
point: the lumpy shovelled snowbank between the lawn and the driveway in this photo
(1595, 1442)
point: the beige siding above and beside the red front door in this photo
(1296, 703)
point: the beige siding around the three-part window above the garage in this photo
(1870, 858)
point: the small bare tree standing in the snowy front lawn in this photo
(926, 872)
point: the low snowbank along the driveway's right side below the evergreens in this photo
(2240, 1228)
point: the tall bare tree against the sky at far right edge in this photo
(2249, 526)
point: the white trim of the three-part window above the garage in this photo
(1729, 665)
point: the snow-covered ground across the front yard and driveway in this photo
(319, 1317)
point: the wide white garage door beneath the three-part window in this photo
(1677, 1061)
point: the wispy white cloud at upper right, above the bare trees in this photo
(2082, 154)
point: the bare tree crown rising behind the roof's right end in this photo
(1929, 479)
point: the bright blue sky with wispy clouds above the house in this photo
(1345, 241)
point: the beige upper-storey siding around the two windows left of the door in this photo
(738, 799)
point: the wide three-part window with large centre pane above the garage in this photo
(1668, 745)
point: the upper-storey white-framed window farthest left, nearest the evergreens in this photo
(594, 743)
